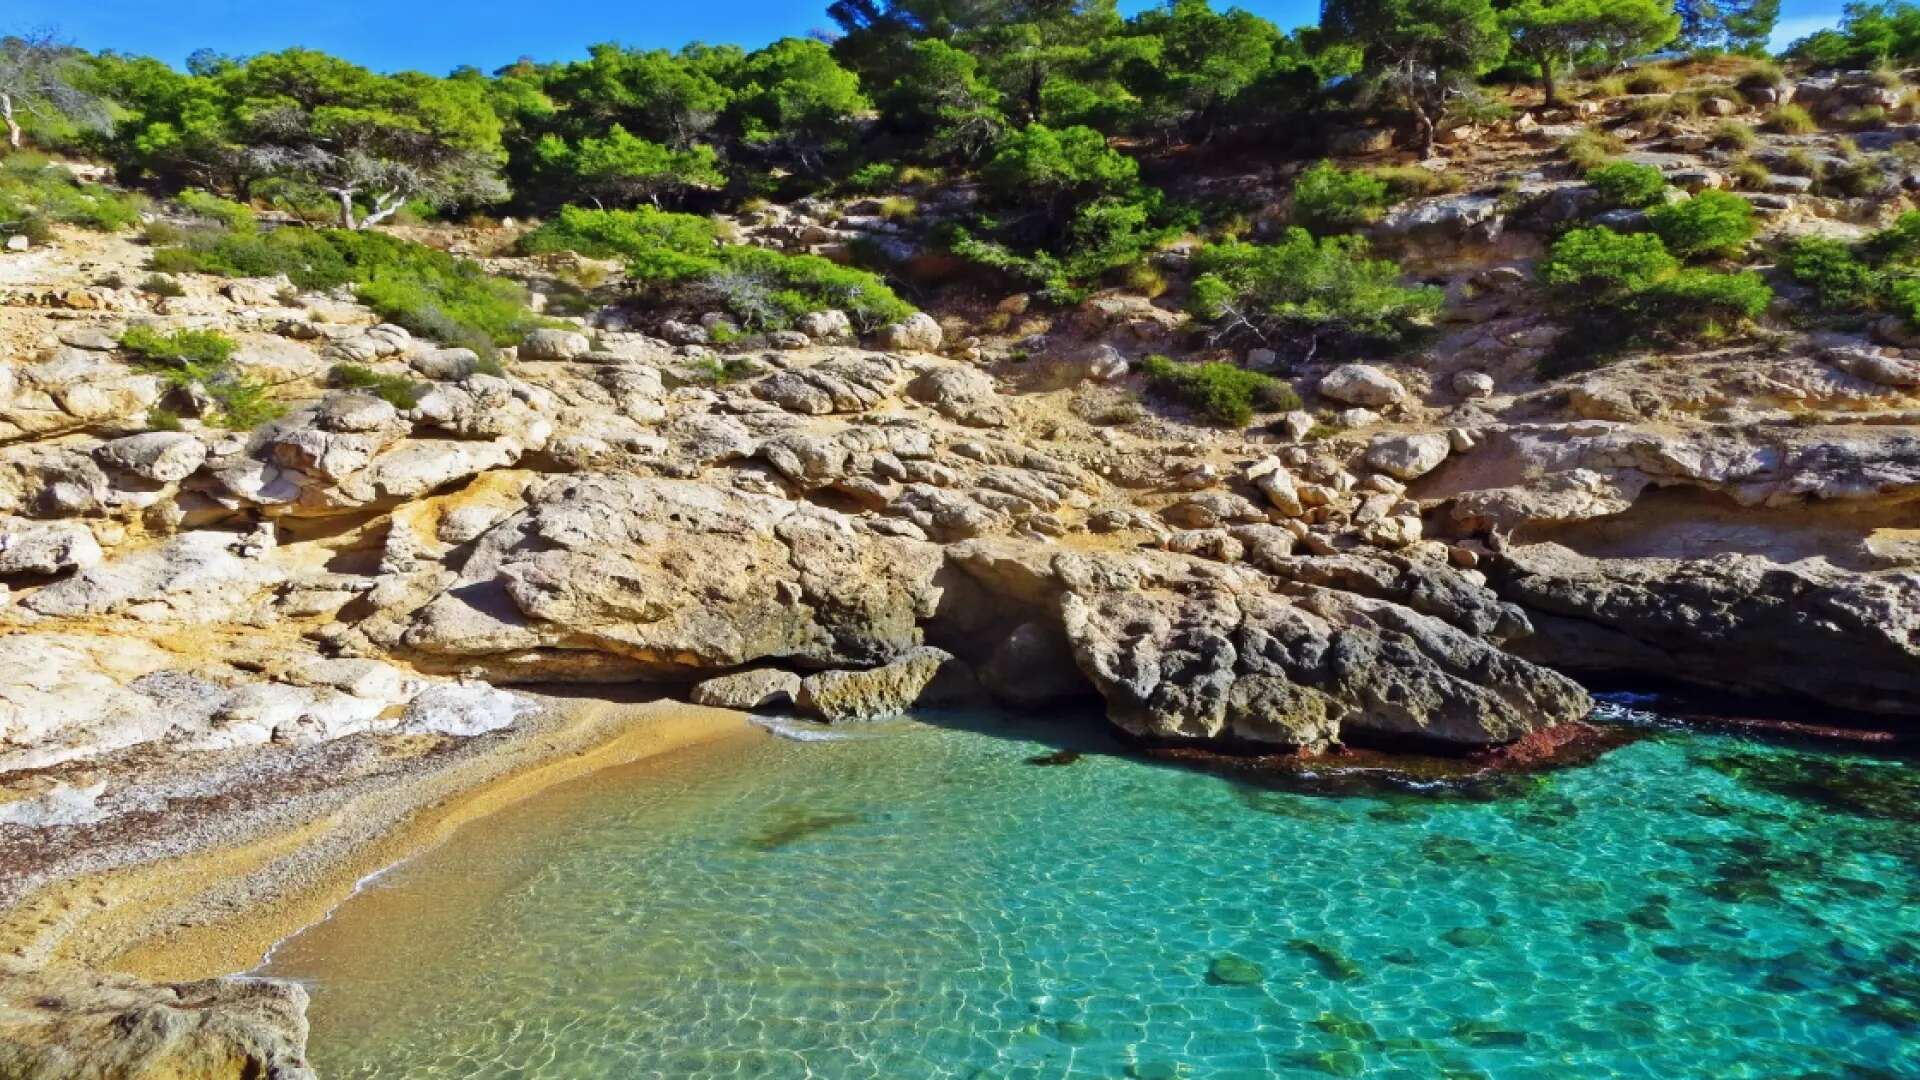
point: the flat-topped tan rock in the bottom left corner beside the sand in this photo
(103, 1027)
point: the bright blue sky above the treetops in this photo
(435, 36)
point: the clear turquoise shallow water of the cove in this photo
(924, 902)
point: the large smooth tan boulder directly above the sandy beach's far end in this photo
(671, 579)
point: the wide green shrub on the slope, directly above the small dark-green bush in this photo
(1305, 287)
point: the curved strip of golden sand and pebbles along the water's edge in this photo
(220, 906)
